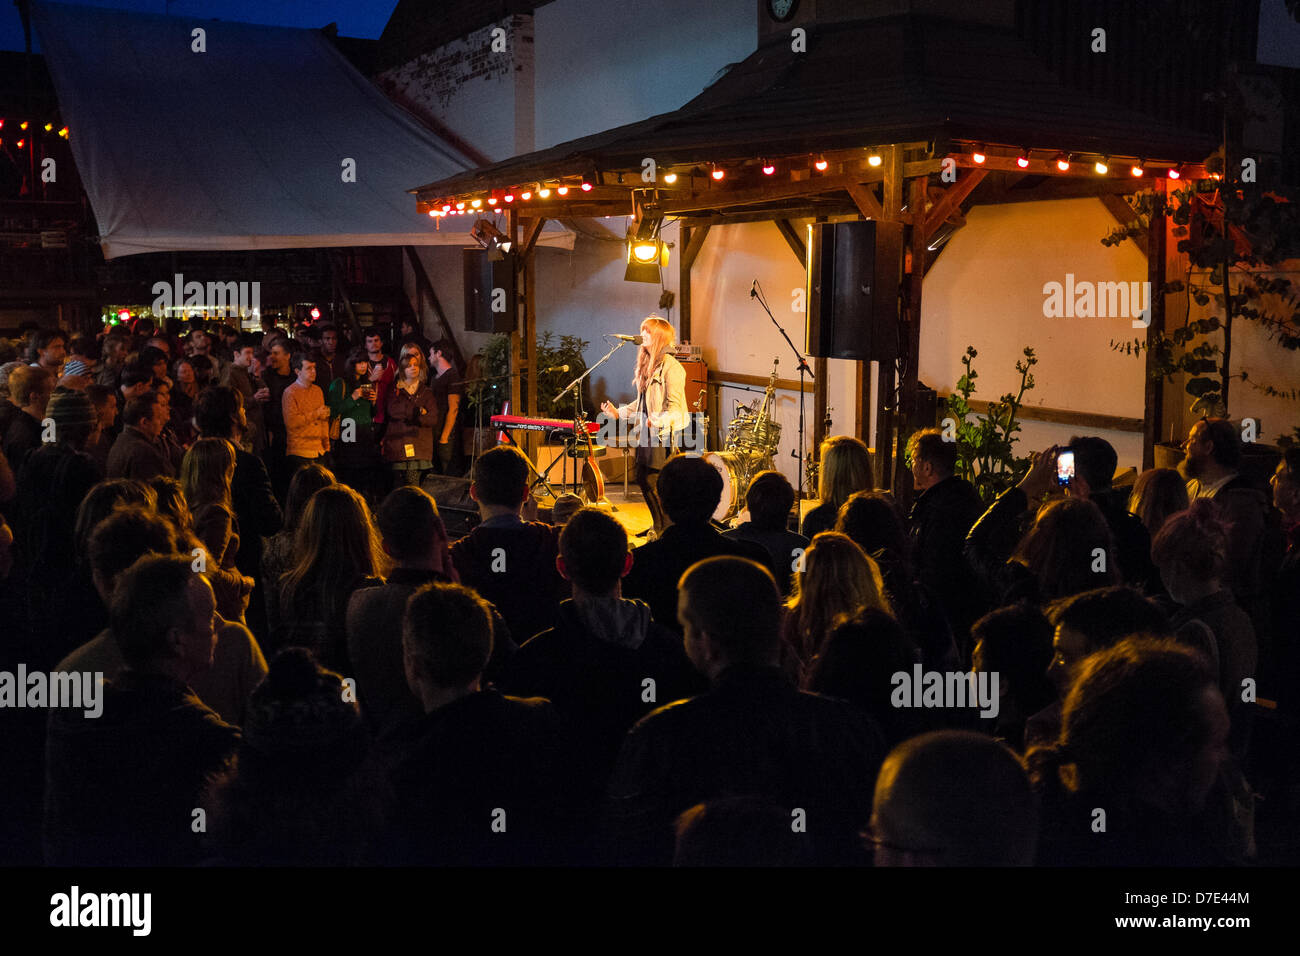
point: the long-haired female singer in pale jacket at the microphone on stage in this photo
(660, 409)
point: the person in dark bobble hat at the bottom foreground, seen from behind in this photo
(294, 794)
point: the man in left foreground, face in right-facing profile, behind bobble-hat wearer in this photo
(123, 786)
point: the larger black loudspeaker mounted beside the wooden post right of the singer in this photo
(855, 272)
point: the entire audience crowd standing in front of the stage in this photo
(301, 667)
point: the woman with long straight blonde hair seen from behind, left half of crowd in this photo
(339, 552)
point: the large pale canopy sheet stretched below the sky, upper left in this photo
(242, 146)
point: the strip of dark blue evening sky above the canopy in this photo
(354, 18)
